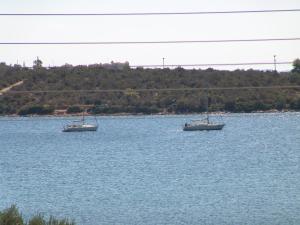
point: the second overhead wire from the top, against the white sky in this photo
(151, 42)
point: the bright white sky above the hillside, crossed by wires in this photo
(150, 28)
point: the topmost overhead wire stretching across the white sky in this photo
(154, 13)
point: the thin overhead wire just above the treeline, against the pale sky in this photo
(215, 64)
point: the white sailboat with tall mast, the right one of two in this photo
(203, 124)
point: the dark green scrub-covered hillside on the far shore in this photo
(122, 77)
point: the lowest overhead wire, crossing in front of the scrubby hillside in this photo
(155, 89)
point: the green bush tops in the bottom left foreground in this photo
(12, 216)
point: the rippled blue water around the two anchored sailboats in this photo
(146, 170)
